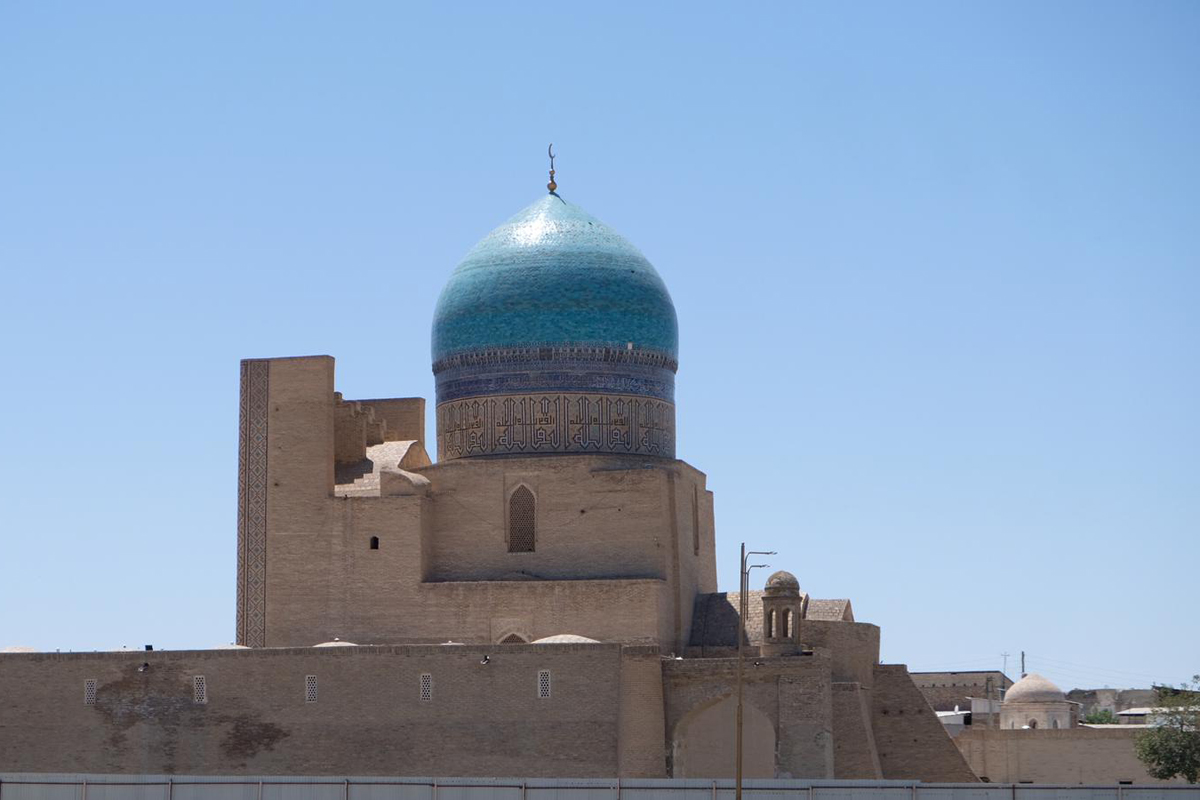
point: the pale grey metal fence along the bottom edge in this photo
(166, 787)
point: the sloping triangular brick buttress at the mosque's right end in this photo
(913, 744)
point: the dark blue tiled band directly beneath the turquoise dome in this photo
(603, 371)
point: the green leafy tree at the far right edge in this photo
(1172, 748)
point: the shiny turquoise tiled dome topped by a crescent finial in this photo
(555, 275)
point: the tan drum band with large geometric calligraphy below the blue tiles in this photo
(521, 425)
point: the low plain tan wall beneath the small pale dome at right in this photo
(1070, 756)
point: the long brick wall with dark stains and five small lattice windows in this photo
(369, 718)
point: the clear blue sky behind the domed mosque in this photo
(935, 264)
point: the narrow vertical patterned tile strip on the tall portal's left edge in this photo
(253, 504)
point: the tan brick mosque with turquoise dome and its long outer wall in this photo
(541, 601)
